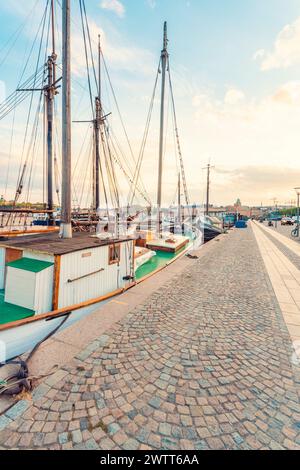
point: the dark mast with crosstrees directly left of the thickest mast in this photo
(50, 94)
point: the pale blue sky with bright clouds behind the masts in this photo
(236, 78)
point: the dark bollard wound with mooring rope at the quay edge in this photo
(14, 378)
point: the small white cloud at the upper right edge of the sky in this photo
(286, 51)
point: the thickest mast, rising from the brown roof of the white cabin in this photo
(66, 228)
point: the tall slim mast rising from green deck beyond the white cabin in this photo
(164, 60)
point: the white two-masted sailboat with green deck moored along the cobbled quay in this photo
(49, 281)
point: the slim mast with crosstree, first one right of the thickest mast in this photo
(97, 125)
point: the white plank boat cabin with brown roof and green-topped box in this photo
(43, 273)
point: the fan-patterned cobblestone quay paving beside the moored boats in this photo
(204, 363)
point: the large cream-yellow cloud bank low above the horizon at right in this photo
(254, 144)
